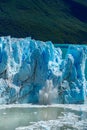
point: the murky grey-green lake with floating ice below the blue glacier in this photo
(53, 117)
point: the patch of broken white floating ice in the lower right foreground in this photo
(66, 121)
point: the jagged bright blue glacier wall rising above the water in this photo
(34, 72)
